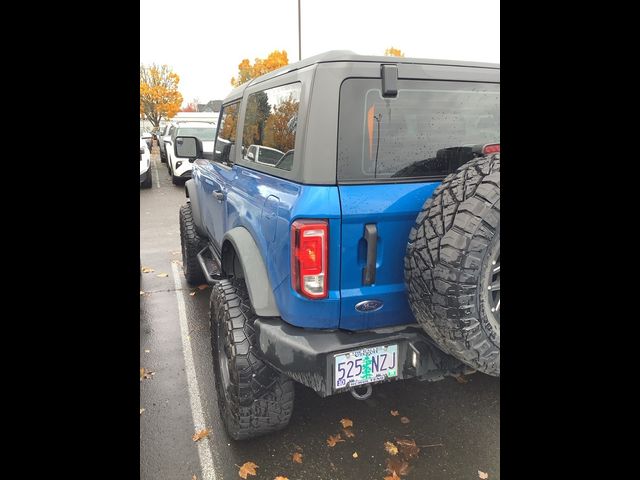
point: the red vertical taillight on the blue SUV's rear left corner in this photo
(309, 253)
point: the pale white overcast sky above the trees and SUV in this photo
(205, 40)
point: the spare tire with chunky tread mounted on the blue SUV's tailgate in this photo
(452, 265)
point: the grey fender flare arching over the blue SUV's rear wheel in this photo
(254, 270)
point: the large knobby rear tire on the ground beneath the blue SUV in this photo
(254, 399)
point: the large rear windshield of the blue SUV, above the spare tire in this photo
(426, 132)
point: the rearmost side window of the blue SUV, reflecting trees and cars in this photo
(270, 124)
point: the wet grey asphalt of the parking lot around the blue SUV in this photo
(457, 425)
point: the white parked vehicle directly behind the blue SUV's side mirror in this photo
(180, 169)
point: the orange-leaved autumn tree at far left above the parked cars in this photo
(159, 95)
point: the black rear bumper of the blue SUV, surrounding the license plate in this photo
(307, 355)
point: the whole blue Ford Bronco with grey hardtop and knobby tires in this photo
(348, 219)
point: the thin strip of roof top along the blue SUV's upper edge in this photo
(349, 56)
